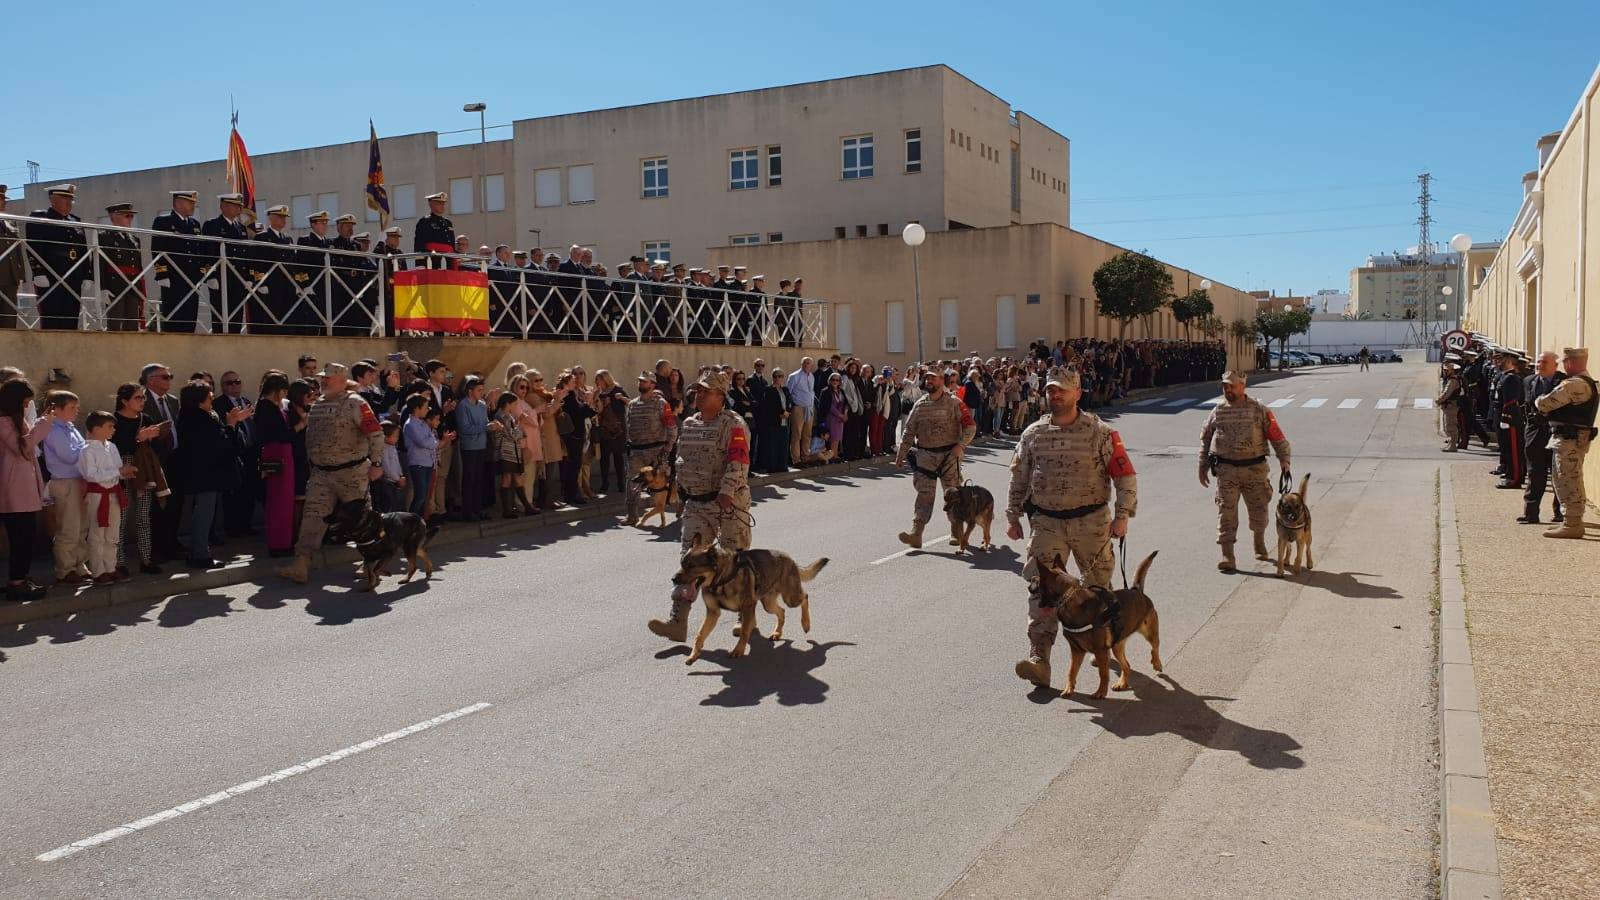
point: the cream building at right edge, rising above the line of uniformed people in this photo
(1542, 289)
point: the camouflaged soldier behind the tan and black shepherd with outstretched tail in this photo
(714, 467)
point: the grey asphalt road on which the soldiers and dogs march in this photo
(513, 728)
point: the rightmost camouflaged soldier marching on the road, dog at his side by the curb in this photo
(1234, 448)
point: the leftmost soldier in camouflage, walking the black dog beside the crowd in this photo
(346, 451)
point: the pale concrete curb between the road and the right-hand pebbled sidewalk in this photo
(1468, 861)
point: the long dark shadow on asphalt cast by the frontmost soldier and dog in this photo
(1170, 709)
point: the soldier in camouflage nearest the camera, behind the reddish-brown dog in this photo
(1062, 478)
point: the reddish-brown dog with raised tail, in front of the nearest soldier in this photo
(1100, 622)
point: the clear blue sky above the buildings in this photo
(1194, 127)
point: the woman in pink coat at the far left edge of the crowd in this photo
(22, 486)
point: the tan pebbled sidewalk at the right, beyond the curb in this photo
(1535, 630)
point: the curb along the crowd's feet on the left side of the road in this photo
(254, 569)
